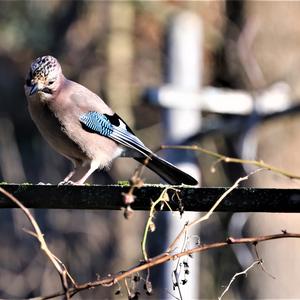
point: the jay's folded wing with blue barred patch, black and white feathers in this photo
(113, 127)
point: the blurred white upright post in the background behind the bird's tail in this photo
(184, 71)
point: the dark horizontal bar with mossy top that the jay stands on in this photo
(192, 199)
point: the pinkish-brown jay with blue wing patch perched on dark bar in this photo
(80, 126)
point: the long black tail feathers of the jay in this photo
(167, 171)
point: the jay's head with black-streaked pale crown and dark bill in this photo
(44, 76)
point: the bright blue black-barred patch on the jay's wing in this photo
(97, 122)
